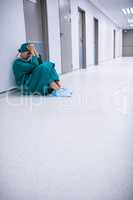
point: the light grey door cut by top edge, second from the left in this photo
(65, 35)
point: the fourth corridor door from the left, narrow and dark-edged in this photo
(96, 41)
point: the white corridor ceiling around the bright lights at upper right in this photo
(113, 9)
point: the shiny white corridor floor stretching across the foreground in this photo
(77, 148)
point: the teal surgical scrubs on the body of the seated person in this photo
(34, 76)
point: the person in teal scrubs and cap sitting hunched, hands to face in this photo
(33, 75)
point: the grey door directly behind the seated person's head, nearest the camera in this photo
(35, 13)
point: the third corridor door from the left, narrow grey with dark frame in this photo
(82, 39)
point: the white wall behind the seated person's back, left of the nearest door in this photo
(12, 34)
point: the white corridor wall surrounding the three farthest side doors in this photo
(105, 34)
